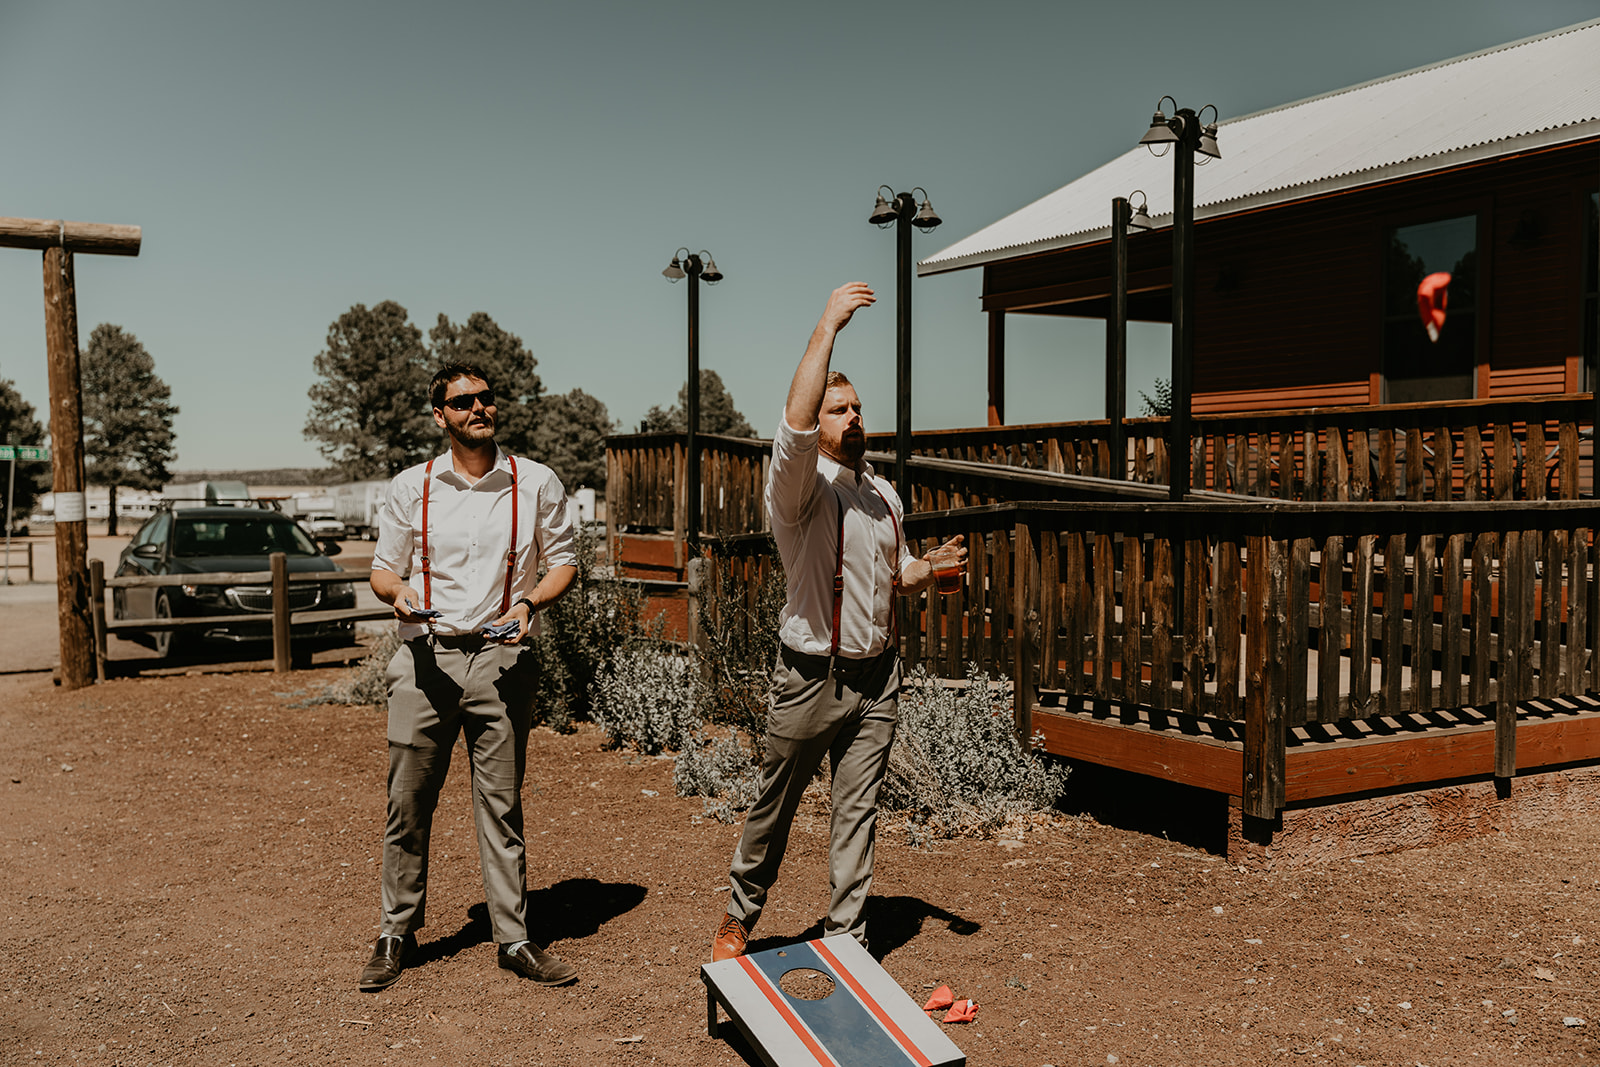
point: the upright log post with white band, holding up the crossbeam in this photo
(66, 438)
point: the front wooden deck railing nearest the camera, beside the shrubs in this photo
(1271, 615)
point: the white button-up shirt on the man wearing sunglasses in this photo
(468, 538)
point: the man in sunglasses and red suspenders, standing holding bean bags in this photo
(460, 541)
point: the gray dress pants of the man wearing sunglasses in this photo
(439, 689)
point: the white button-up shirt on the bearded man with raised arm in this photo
(804, 495)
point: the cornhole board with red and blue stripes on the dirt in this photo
(868, 1021)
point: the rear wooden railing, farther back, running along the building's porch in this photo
(1470, 450)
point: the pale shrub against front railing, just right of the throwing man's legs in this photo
(958, 765)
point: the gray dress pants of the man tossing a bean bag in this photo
(849, 716)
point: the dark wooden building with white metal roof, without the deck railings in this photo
(1321, 220)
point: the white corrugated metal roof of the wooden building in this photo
(1526, 95)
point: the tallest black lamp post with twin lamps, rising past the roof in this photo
(1191, 140)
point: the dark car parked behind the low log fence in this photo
(226, 540)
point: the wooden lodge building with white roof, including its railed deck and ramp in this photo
(1382, 580)
